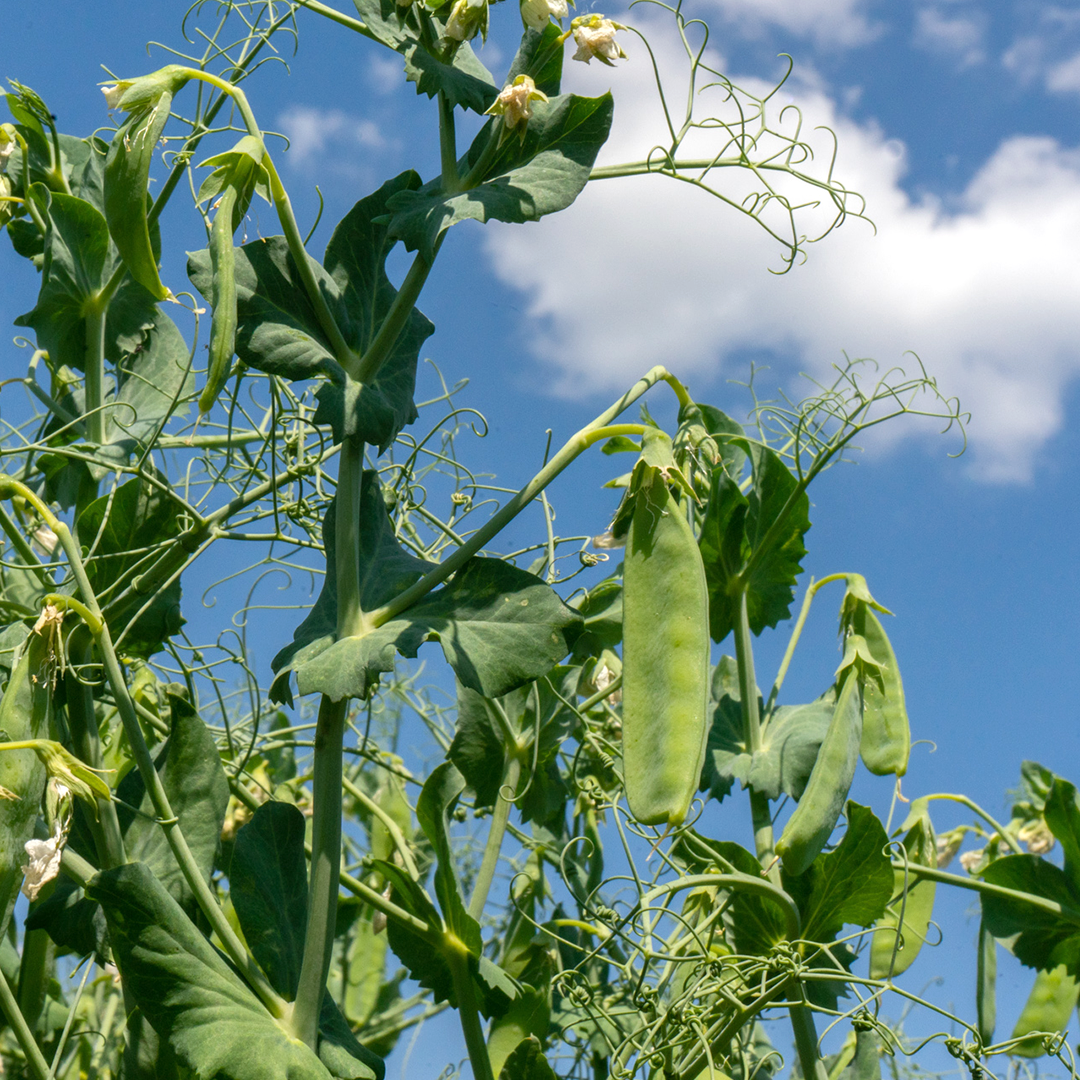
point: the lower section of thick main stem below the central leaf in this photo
(326, 871)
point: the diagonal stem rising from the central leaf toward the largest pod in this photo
(577, 445)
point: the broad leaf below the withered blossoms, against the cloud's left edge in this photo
(524, 182)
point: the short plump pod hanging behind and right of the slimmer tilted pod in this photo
(887, 736)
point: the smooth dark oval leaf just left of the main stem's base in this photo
(268, 879)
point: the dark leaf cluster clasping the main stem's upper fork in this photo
(279, 332)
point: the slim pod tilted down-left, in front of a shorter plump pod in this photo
(819, 811)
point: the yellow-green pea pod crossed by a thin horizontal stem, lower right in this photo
(893, 955)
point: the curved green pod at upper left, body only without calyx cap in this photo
(127, 175)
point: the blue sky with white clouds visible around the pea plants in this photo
(957, 121)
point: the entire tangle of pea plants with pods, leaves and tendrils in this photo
(223, 885)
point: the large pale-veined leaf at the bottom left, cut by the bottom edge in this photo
(195, 1002)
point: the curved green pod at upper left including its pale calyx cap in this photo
(128, 169)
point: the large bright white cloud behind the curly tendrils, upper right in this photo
(643, 272)
